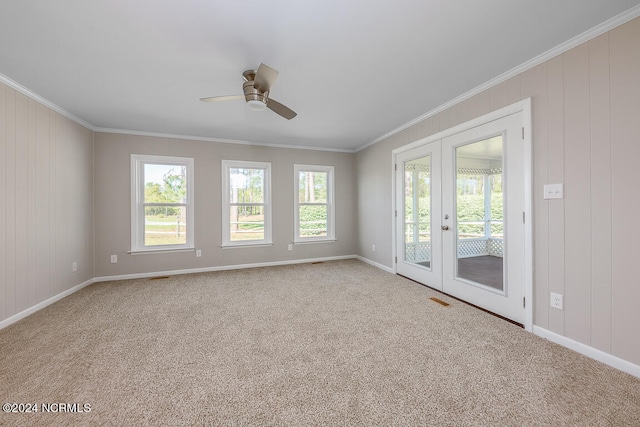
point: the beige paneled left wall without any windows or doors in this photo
(46, 196)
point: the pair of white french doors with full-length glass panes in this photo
(460, 202)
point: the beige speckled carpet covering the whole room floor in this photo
(337, 343)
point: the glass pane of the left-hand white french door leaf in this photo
(417, 211)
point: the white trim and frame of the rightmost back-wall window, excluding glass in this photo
(331, 212)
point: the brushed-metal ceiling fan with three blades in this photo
(256, 87)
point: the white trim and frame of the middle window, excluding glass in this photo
(226, 204)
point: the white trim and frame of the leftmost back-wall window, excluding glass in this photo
(137, 202)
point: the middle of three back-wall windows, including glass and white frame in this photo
(246, 207)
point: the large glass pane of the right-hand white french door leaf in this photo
(480, 213)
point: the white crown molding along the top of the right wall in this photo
(594, 32)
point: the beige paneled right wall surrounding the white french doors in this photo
(586, 134)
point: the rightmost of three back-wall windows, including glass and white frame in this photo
(314, 207)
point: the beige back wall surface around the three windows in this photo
(112, 203)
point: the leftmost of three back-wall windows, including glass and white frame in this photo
(161, 203)
